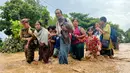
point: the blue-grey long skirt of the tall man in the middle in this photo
(63, 52)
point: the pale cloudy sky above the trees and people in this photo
(116, 11)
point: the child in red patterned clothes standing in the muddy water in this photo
(93, 44)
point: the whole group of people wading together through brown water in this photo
(67, 37)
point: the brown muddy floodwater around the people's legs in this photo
(15, 63)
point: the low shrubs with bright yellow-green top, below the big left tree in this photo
(13, 44)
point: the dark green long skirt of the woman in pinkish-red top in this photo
(77, 51)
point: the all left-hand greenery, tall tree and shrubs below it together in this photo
(12, 12)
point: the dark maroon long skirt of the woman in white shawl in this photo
(44, 53)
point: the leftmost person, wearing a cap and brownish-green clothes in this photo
(30, 40)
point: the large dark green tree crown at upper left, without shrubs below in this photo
(18, 9)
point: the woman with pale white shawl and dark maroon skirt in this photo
(42, 36)
